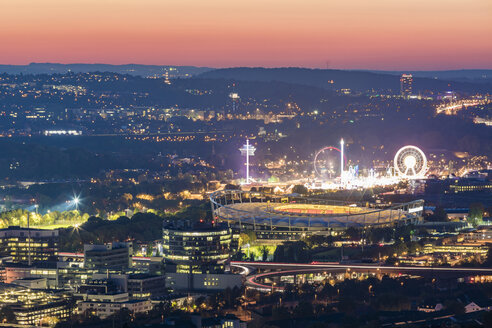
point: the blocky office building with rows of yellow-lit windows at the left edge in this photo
(25, 245)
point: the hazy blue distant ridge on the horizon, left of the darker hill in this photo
(132, 69)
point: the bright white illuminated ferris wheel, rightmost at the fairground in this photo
(410, 162)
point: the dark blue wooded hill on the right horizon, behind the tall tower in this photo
(355, 80)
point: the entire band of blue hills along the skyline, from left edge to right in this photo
(360, 80)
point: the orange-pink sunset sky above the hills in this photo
(346, 34)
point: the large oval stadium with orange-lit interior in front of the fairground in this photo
(290, 216)
